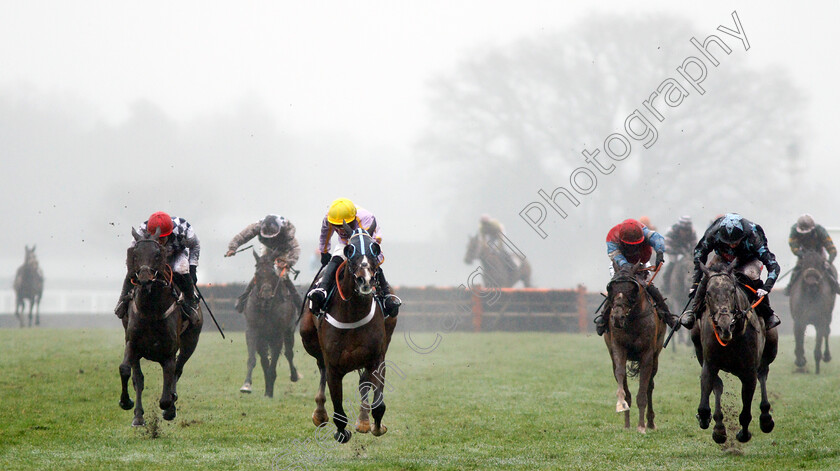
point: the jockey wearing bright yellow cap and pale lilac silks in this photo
(342, 211)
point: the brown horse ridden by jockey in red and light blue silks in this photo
(636, 334)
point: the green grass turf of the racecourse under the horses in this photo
(480, 401)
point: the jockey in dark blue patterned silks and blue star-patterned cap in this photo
(732, 237)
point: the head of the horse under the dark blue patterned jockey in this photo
(722, 299)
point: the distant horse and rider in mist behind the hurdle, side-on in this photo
(500, 268)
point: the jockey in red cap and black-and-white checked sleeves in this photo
(178, 235)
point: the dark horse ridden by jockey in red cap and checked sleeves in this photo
(154, 326)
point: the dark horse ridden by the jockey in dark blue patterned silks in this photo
(731, 337)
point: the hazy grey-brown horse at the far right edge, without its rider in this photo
(811, 302)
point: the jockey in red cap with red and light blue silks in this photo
(632, 242)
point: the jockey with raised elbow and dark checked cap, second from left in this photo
(277, 235)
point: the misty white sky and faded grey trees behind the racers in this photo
(429, 116)
